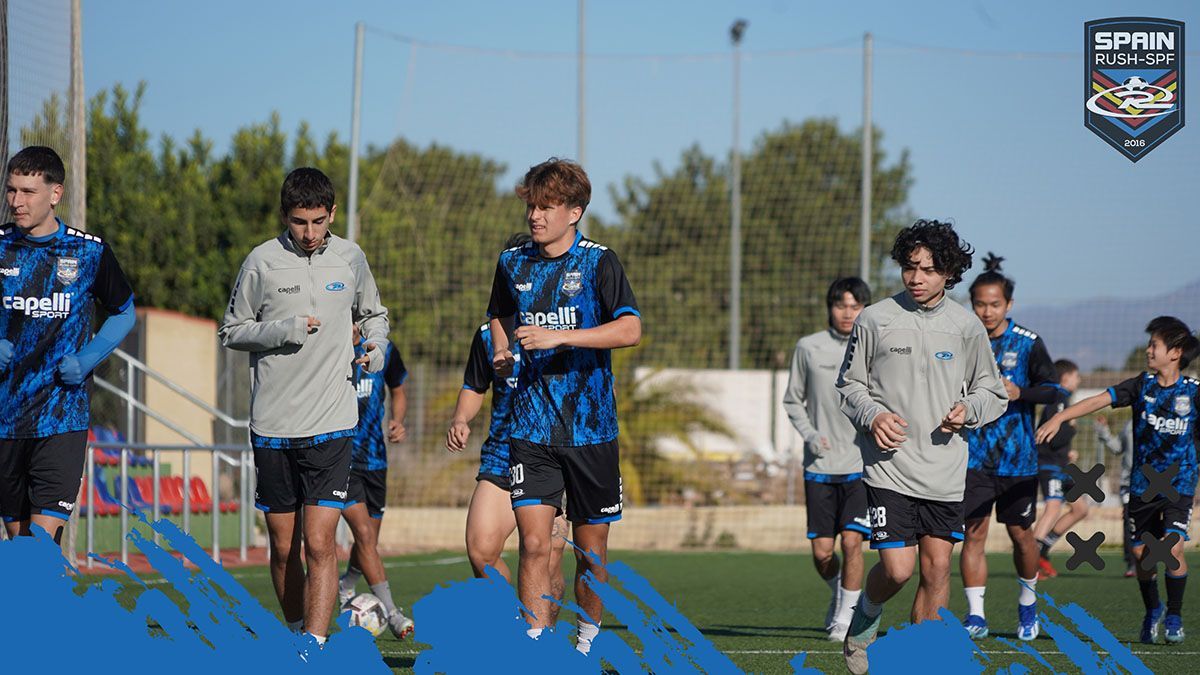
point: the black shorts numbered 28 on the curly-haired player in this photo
(899, 521)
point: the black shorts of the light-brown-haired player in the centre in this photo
(589, 475)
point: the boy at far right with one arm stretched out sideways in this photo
(1166, 432)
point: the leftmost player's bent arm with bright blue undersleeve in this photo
(113, 292)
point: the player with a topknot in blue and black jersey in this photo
(1003, 469)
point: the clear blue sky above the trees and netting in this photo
(986, 97)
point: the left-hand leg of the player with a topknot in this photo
(979, 498)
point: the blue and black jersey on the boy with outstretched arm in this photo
(1165, 428)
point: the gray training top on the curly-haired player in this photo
(919, 363)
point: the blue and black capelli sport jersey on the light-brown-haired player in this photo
(565, 397)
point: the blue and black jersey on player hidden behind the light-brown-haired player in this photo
(479, 377)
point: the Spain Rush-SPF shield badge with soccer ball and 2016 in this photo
(1133, 82)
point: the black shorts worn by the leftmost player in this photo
(41, 476)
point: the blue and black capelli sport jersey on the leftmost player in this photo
(50, 289)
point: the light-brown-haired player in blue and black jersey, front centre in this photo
(569, 302)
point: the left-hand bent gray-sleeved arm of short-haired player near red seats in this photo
(241, 328)
